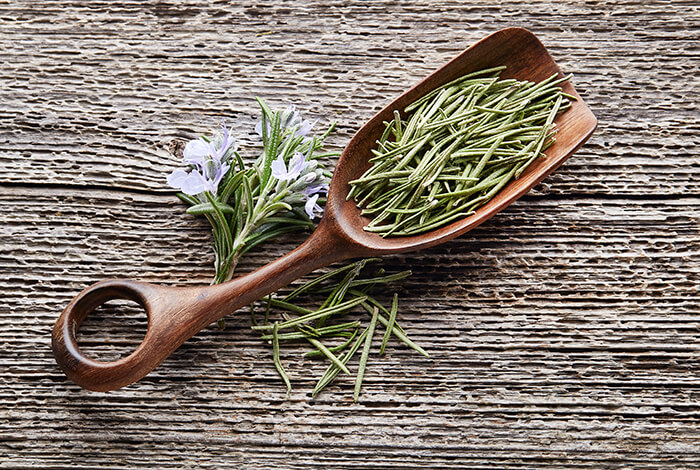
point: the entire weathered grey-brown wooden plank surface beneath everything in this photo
(564, 333)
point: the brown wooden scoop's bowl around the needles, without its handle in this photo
(526, 59)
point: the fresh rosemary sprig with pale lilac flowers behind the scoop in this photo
(247, 205)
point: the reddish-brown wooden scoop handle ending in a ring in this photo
(177, 313)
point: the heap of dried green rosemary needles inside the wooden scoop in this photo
(455, 148)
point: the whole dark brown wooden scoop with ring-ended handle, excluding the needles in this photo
(177, 313)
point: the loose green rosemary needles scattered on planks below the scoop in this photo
(341, 290)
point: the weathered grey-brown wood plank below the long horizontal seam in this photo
(571, 362)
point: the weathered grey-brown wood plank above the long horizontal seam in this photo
(99, 104)
